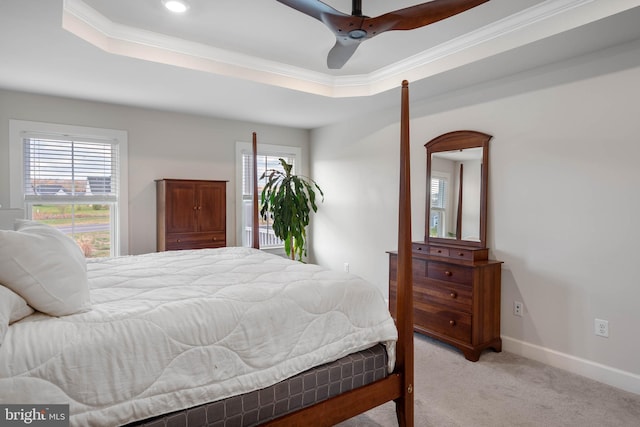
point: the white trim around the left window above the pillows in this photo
(18, 129)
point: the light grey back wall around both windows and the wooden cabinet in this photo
(161, 145)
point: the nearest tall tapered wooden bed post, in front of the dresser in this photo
(404, 310)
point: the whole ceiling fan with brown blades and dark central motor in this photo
(351, 30)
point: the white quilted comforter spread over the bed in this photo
(174, 329)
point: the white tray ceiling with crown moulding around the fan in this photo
(261, 61)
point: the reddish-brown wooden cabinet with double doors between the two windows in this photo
(191, 214)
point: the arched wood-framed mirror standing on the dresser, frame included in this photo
(457, 172)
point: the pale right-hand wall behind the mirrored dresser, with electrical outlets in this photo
(563, 203)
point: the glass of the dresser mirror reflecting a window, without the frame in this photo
(456, 188)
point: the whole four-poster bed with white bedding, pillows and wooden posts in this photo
(228, 336)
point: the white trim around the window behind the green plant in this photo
(265, 150)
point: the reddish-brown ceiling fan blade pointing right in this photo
(419, 15)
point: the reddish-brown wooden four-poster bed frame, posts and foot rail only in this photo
(398, 386)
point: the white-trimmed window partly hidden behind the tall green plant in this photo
(268, 158)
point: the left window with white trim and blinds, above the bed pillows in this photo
(73, 178)
